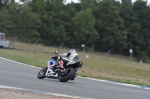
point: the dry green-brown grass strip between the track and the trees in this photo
(114, 69)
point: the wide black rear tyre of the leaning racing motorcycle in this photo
(68, 76)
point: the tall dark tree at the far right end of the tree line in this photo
(143, 15)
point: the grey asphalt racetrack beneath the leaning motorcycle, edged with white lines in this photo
(24, 76)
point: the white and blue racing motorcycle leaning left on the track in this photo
(54, 69)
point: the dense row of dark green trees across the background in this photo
(102, 25)
